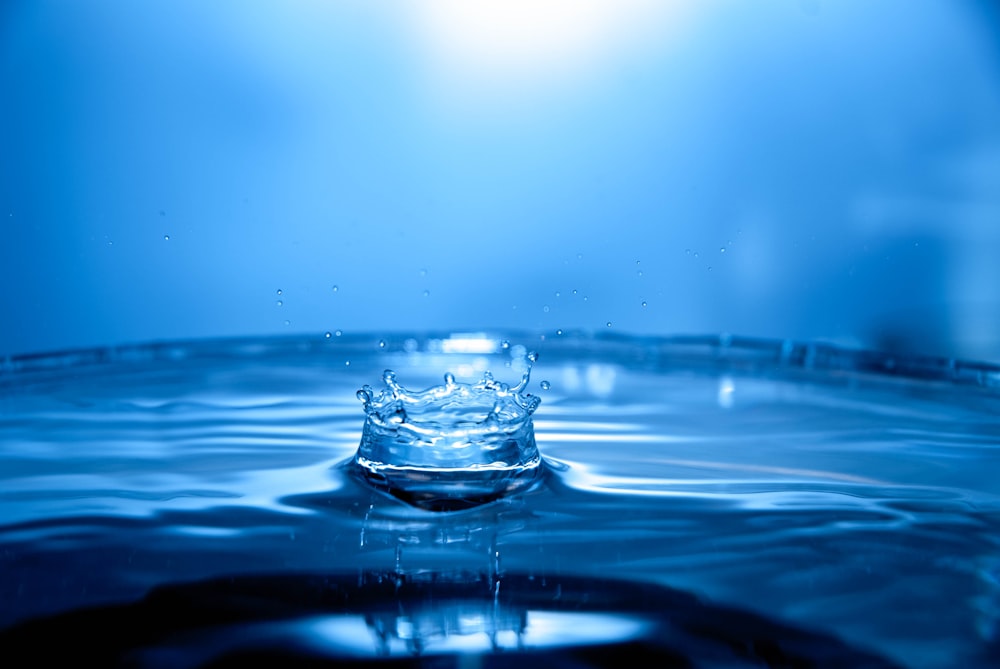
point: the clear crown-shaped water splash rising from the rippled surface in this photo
(449, 446)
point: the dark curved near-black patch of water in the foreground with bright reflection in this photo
(440, 619)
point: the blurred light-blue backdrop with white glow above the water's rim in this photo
(810, 169)
